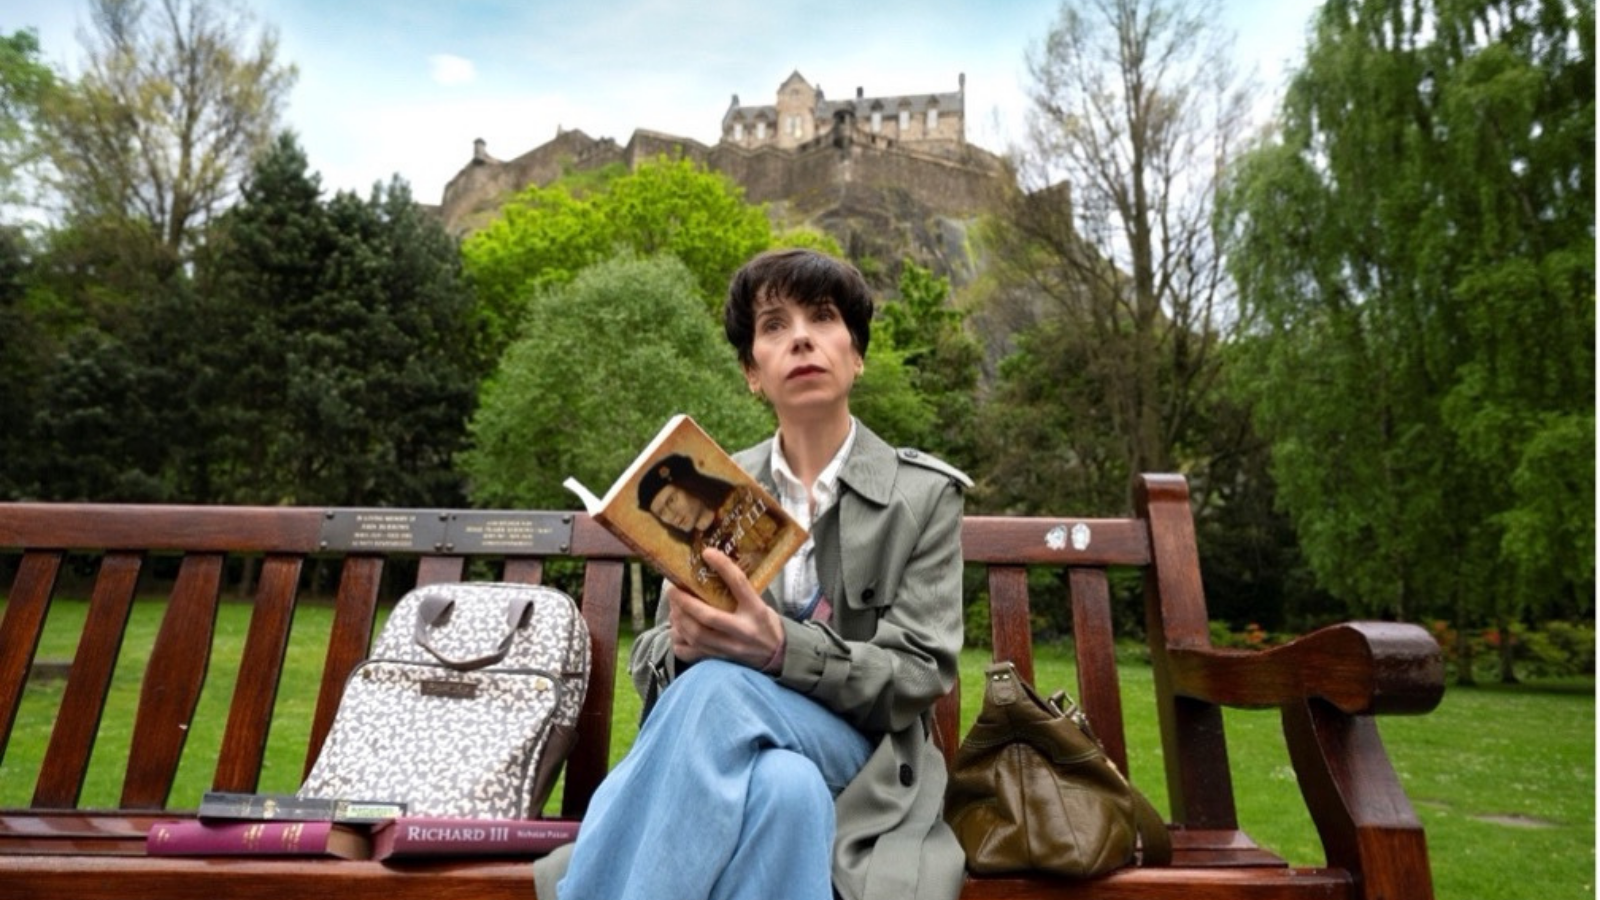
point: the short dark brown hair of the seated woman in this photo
(806, 276)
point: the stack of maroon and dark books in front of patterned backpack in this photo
(286, 826)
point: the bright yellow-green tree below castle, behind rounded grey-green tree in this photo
(546, 236)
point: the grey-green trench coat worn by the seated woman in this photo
(889, 556)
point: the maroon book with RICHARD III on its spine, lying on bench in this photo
(446, 837)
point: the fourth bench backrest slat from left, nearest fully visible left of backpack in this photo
(262, 669)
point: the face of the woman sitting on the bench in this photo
(802, 356)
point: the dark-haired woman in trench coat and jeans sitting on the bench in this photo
(790, 752)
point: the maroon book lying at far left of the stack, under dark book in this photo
(193, 838)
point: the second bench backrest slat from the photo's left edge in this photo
(84, 701)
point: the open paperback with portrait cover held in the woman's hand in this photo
(686, 494)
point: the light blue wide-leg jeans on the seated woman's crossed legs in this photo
(729, 794)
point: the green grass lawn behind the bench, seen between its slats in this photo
(1503, 779)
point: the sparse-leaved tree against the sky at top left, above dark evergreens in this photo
(169, 116)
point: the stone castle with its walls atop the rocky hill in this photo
(804, 155)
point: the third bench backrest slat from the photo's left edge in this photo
(175, 675)
